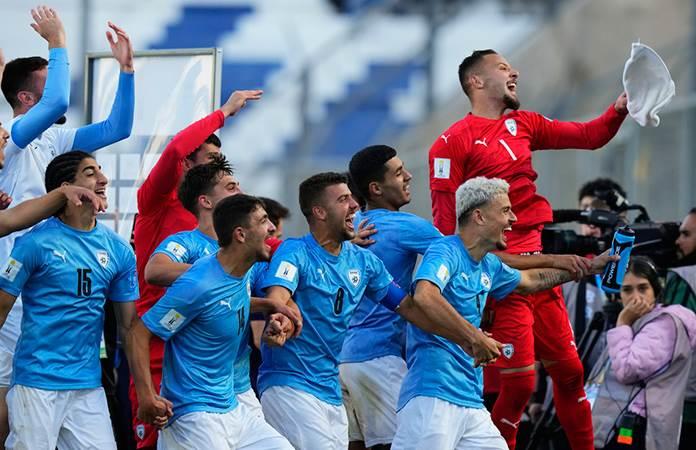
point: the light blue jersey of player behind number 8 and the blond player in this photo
(375, 331)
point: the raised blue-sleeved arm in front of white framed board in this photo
(119, 124)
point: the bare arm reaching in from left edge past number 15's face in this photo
(30, 212)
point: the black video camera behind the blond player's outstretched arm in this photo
(653, 239)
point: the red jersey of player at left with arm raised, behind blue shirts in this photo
(160, 213)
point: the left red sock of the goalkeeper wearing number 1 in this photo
(515, 391)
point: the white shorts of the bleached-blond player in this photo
(431, 423)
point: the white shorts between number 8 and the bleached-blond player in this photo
(370, 394)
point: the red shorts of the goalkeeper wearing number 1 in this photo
(536, 325)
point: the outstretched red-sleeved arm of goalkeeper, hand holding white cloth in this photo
(582, 135)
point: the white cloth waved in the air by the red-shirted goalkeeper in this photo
(648, 85)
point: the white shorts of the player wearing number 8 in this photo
(307, 422)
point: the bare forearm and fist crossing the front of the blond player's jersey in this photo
(429, 310)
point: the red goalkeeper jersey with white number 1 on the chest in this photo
(502, 148)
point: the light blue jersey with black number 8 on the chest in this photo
(327, 289)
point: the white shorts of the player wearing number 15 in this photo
(74, 419)
